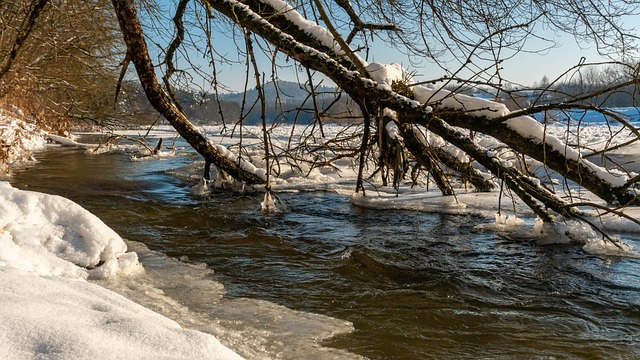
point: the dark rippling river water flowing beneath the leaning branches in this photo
(414, 285)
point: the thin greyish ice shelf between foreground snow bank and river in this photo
(187, 293)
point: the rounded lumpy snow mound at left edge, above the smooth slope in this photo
(53, 236)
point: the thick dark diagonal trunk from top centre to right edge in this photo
(294, 41)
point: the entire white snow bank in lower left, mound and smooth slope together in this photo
(49, 245)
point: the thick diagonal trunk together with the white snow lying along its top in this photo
(414, 106)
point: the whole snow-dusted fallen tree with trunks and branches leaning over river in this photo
(387, 91)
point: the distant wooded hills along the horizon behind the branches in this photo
(290, 102)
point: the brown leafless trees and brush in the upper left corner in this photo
(59, 58)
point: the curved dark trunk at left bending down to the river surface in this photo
(138, 52)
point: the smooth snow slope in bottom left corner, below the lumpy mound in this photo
(61, 318)
